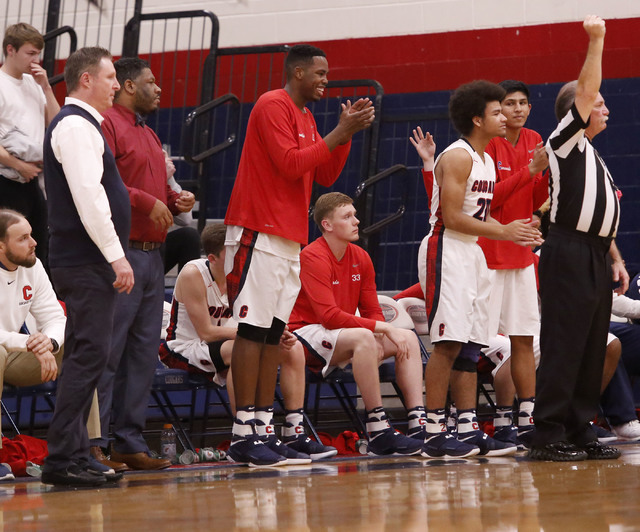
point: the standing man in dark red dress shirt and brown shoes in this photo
(123, 391)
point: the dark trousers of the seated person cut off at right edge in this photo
(618, 403)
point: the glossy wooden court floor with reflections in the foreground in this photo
(412, 494)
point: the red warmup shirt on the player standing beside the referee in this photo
(515, 197)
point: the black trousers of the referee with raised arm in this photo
(575, 292)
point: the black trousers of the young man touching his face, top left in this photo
(27, 199)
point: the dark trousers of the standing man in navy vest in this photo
(89, 297)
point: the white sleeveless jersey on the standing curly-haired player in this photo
(479, 192)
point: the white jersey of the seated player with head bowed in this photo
(181, 329)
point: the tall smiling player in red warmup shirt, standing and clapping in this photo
(282, 156)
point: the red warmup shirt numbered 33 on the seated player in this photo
(332, 289)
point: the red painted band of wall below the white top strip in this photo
(422, 63)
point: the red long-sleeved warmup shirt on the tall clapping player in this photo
(282, 156)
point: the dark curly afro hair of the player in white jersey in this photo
(470, 100)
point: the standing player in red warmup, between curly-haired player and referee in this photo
(519, 159)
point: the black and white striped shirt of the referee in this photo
(583, 195)
